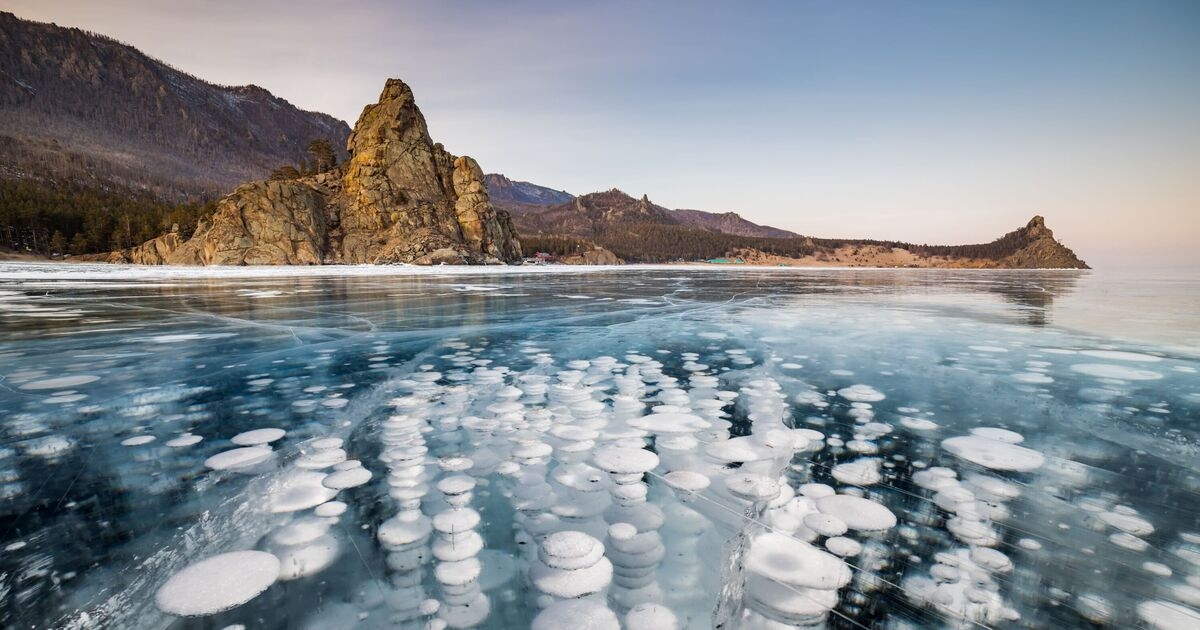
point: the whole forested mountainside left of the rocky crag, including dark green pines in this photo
(106, 146)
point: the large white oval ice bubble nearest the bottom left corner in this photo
(219, 584)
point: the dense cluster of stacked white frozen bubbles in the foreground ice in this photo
(637, 503)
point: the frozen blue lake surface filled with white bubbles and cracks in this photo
(497, 448)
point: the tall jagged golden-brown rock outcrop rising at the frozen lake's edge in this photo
(400, 199)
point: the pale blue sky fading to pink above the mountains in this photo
(926, 122)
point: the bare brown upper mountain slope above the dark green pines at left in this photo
(81, 107)
